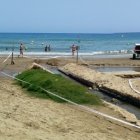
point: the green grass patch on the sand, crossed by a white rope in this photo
(57, 84)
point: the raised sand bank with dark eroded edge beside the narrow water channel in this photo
(106, 82)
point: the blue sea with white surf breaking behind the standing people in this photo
(61, 42)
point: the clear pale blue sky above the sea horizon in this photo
(70, 16)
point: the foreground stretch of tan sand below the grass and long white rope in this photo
(27, 118)
